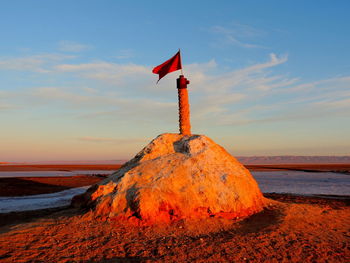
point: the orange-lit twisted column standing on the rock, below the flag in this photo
(184, 106)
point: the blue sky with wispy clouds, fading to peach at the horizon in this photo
(267, 77)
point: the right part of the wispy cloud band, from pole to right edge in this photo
(255, 95)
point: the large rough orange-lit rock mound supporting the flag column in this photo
(176, 177)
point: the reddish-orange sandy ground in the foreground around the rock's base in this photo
(292, 229)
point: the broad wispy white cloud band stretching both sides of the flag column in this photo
(127, 93)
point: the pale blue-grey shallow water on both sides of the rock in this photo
(294, 182)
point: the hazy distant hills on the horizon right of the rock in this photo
(288, 159)
